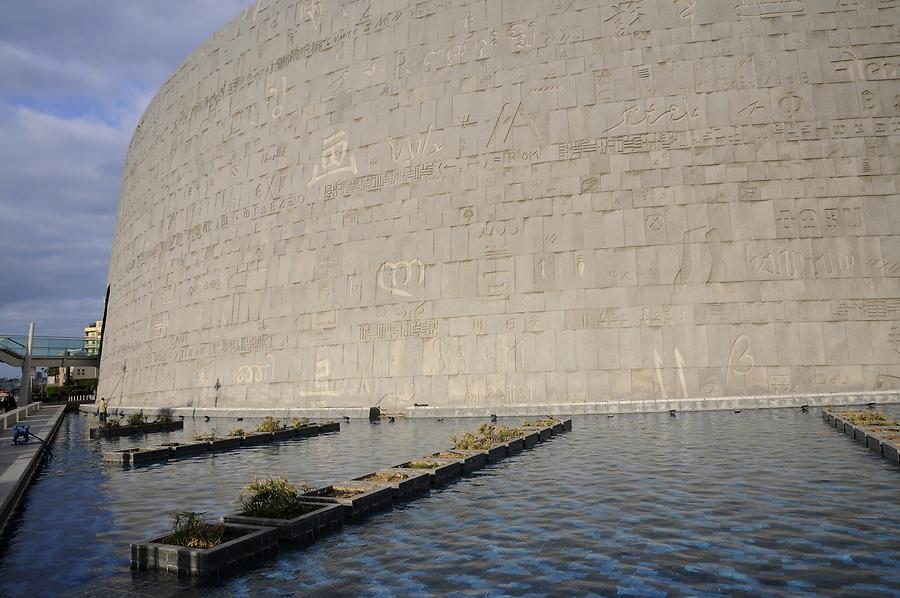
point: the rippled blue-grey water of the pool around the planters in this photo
(716, 503)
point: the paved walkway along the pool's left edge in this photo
(19, 462)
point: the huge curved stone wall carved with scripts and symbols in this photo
(514, 202)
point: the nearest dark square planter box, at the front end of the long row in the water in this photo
(209, 563)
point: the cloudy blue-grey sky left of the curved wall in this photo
(76, 76)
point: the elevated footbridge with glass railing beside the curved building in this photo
(49, 351)
